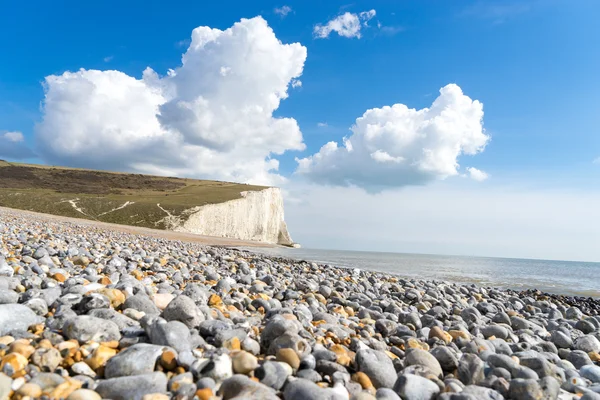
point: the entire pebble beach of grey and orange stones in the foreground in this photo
(89, 313)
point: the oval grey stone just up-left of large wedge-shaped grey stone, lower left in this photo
(84, 328)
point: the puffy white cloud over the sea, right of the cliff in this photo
(398, 146)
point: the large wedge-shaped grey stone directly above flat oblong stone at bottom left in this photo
(138, 359)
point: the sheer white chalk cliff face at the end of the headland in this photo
(258, 215)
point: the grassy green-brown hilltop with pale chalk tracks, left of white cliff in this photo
(129, 199)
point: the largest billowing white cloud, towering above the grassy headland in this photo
(210, 117)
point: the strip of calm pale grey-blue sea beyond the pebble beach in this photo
(559, 277)
